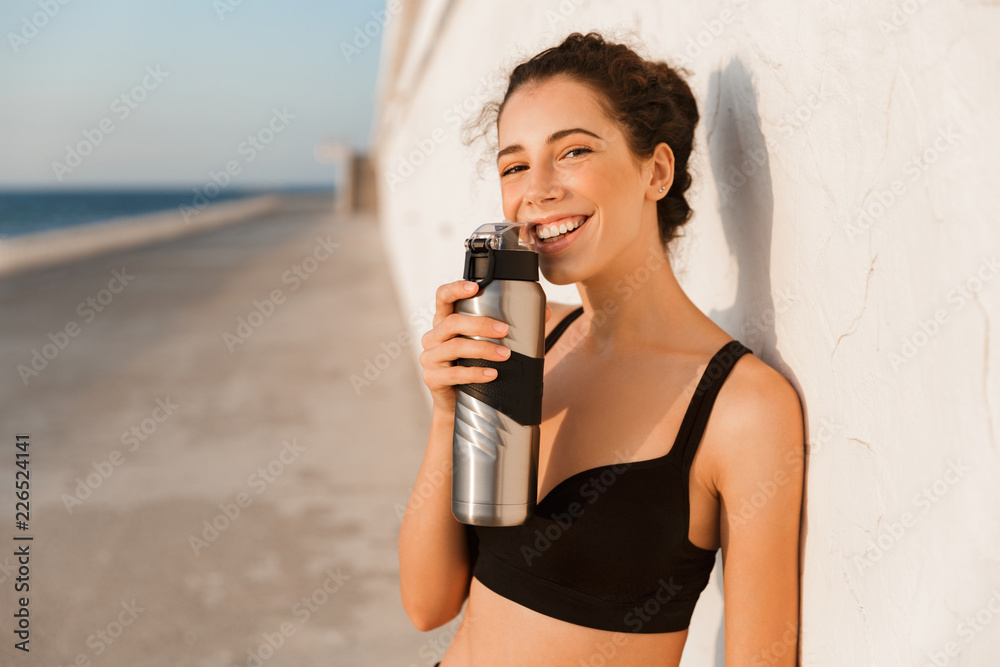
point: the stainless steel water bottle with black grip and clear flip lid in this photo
(495, 445)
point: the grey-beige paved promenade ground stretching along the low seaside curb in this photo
(206, 486)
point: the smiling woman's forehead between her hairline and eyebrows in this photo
(536, 110)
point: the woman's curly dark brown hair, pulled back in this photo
(650, 101)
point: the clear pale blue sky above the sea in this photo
(166, 93)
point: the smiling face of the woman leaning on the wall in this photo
(563, 161)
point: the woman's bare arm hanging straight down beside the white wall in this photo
(760, 485)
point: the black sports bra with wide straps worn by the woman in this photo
(608, 547)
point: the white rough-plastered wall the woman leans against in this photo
(856, 253)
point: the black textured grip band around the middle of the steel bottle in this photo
(516, 391)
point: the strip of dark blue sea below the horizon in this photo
(30, 211)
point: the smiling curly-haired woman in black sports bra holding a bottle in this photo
(638, 488)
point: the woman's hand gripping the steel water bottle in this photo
(444, 343)
